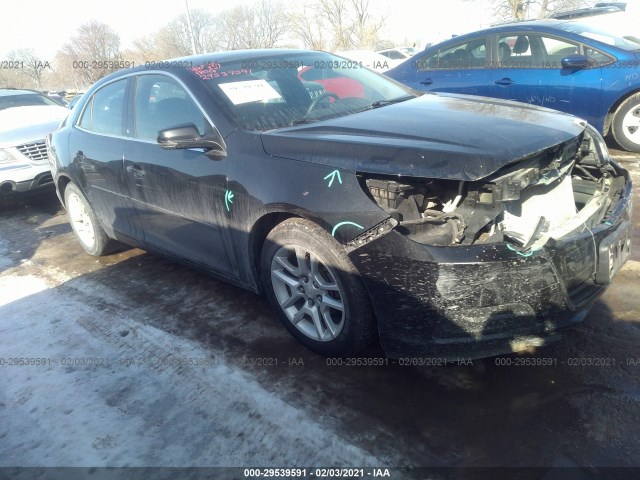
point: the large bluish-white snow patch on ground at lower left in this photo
(113, 391)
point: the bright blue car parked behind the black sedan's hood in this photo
(563, 65)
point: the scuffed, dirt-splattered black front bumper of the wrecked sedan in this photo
(482, 300)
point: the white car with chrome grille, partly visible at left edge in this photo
(26, 117)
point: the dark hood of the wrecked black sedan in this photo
(455, 137)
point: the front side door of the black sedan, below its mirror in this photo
(180, 194)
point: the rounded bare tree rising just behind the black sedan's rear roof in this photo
(93, 52)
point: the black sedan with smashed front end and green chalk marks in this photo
(442, 224)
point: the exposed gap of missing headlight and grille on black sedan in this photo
(553, 193)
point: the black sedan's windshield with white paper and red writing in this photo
(264, 93)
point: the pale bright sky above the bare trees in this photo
(45, 26)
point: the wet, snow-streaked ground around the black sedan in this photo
(135, 361)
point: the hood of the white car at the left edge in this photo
(20, 125)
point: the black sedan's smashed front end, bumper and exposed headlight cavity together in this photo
(498, 264)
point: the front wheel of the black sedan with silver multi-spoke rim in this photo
(317, 292)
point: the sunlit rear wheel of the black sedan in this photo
(85, 224)
